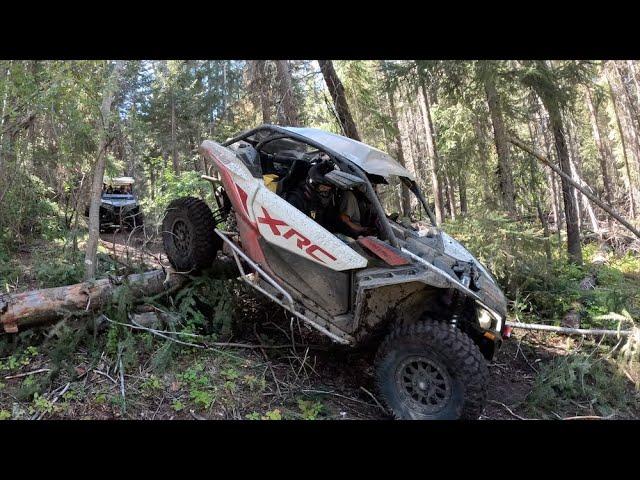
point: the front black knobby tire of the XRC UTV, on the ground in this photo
(431, 371)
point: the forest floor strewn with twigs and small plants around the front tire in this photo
(298, 375)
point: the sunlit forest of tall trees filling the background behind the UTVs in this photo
(449, 122)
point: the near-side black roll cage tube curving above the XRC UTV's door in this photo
(342, 162)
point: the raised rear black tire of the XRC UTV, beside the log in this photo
(188, 235)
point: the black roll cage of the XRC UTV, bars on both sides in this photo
(345, 164)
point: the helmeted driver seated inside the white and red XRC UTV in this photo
(315, 197)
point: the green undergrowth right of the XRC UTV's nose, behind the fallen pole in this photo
(543, 288)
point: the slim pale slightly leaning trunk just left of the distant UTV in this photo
(96, 189)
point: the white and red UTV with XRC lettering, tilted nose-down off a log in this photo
(433, 309)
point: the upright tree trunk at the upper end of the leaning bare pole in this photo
(505, 171)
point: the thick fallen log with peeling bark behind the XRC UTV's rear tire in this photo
(36, 307)
